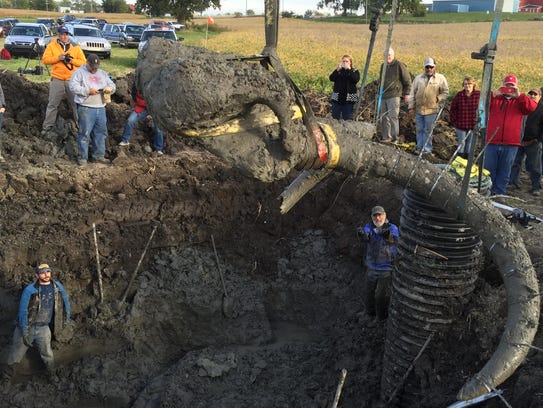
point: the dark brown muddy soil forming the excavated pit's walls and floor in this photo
(292, 316)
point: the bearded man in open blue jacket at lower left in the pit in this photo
(44, 305)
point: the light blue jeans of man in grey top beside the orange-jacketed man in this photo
(93, 127)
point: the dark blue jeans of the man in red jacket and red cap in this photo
(498, 161)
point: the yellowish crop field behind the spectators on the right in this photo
(310, 50)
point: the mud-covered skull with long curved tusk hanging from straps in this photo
(249, 115)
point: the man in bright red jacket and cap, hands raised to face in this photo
(507, 109)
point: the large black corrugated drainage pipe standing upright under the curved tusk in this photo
(439, 259)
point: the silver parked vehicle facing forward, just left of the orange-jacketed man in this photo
(27, 40)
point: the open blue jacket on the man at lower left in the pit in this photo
(30, 305)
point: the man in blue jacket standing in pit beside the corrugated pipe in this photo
(381, 238)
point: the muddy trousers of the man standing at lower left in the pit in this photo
(40, 336)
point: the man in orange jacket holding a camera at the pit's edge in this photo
(65, 58)
